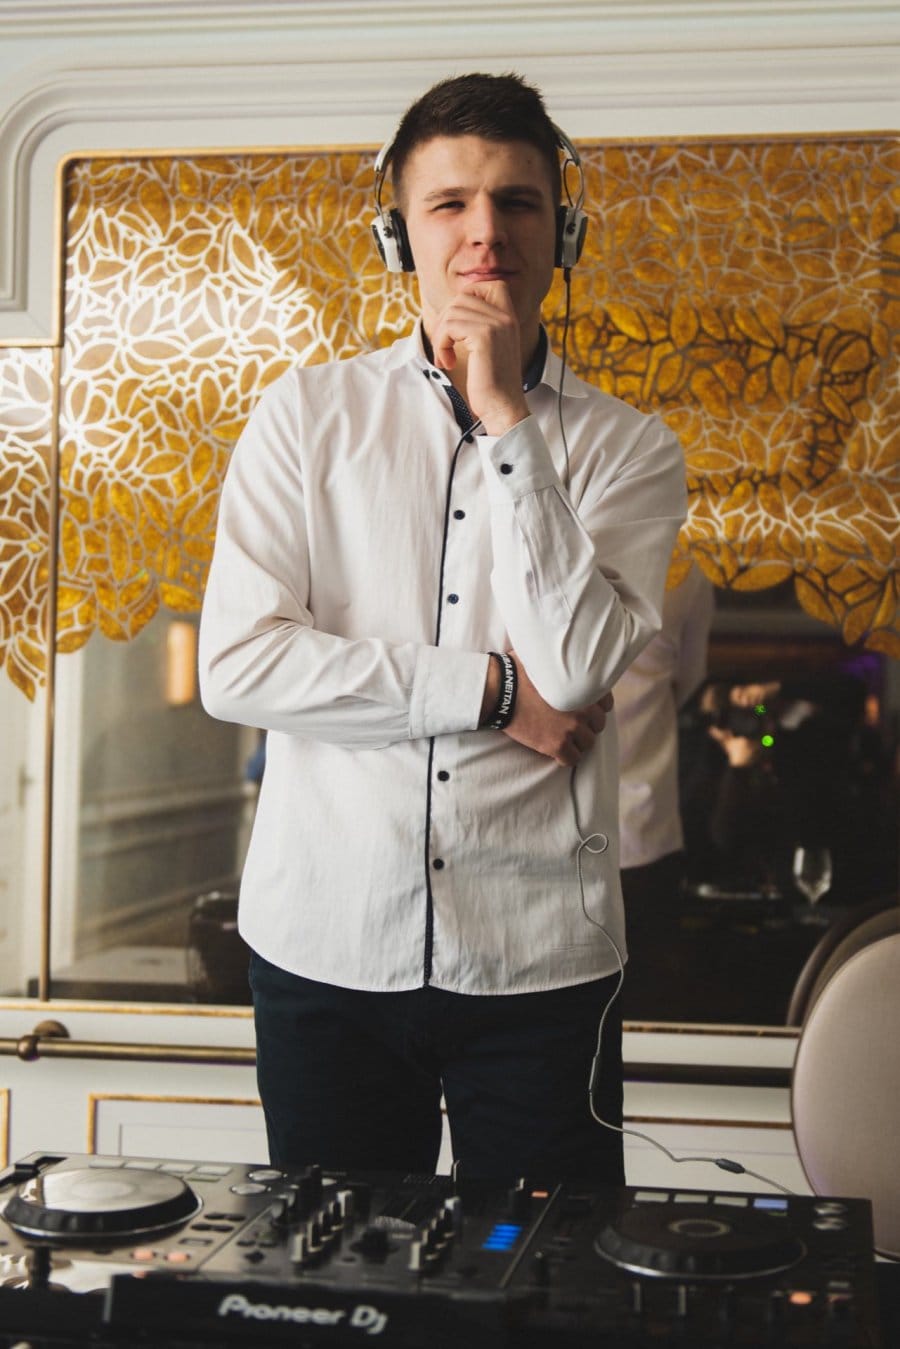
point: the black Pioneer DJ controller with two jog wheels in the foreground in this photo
(132, 1253)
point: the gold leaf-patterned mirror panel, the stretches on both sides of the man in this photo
(750, 291)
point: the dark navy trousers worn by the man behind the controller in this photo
(353, 1080)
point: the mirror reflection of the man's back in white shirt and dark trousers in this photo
(663, 678)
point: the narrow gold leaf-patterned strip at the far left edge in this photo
(26, 439)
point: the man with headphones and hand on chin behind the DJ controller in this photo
(427, 623)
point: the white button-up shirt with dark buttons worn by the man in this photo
(362, 574)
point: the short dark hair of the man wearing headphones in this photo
(492, 107)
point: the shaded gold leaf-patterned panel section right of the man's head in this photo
(751, 293)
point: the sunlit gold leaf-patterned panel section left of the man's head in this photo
(191, 285)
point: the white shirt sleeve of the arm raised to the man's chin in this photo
(581, 594)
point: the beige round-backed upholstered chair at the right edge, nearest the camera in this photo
(845, 1095)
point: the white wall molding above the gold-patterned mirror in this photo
(183, 75)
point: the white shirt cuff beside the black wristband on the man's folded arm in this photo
(449, 690)
